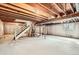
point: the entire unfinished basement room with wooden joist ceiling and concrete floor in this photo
(39, 28)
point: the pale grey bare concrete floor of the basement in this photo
(47, 45)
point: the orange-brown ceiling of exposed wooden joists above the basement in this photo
(37, 12)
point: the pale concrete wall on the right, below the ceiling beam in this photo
(66, 29)
